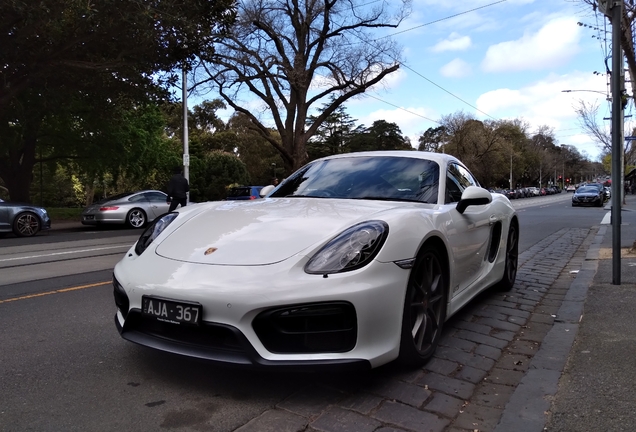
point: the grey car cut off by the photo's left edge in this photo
(24, 220)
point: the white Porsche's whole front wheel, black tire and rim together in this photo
(424, 310)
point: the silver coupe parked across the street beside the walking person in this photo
(134, 209)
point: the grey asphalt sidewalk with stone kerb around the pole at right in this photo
(582, 378)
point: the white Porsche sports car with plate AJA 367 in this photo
(355, 260)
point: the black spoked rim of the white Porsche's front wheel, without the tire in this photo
(426, 303)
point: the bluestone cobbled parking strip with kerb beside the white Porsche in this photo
(496, 361)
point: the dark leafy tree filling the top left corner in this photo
(59, 54)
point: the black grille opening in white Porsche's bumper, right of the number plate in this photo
(309, 328)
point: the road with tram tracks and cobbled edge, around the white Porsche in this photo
(64, 366)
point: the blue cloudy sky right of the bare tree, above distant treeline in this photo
(496, 59)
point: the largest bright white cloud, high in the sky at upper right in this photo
(553, 45)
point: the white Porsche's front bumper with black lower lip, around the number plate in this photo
(234, 299)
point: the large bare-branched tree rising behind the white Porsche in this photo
(292, 54)
